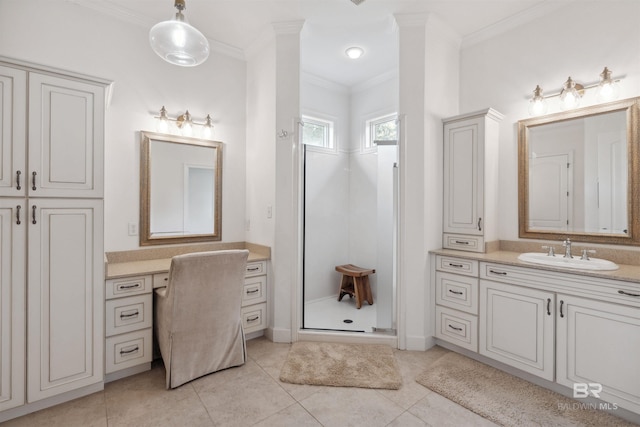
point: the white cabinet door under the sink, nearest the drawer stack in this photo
(517, 327)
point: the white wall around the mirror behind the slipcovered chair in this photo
(60, 34)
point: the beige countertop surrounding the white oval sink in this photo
(629, 273)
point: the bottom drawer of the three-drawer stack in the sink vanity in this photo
(457, 328)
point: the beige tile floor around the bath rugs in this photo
(252, 395)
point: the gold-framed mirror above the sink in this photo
(578, 175)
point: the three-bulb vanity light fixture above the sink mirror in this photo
(572, 92)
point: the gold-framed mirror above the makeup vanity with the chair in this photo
(180, 189)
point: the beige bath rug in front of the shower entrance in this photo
(342, 365)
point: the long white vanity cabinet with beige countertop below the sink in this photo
(564, 326)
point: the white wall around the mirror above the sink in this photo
(502, 73)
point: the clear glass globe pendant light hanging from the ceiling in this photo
(177, 42)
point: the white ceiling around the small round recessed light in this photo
(330, 26)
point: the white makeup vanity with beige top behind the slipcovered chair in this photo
(131, 277)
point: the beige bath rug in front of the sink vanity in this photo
(508, 400)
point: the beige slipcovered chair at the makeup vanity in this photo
(198, 322)
